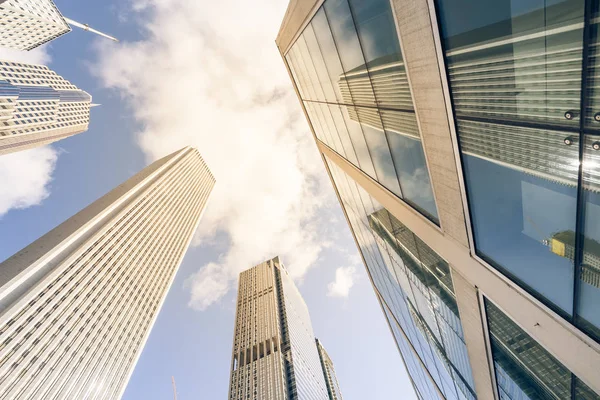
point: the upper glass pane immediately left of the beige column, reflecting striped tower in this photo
(379, 39)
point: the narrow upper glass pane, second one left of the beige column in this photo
(346, 39)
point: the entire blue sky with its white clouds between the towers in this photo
(207, 74)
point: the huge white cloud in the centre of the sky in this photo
(209, 75)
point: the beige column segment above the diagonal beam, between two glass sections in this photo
(413, 22)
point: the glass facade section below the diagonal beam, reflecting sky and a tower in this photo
(416, 289)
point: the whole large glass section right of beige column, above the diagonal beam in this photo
(530, 158)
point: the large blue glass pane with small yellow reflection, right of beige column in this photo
(521, 195)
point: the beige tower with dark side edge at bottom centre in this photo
(274, 353)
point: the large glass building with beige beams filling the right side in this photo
(462, 139)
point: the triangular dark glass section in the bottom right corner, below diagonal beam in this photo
(524, 369)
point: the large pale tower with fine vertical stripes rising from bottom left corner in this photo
(77, 305)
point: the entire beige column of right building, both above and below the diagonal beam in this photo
(414, 24)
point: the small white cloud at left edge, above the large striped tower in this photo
(25, 177)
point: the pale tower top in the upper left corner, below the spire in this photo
(27, 24)
